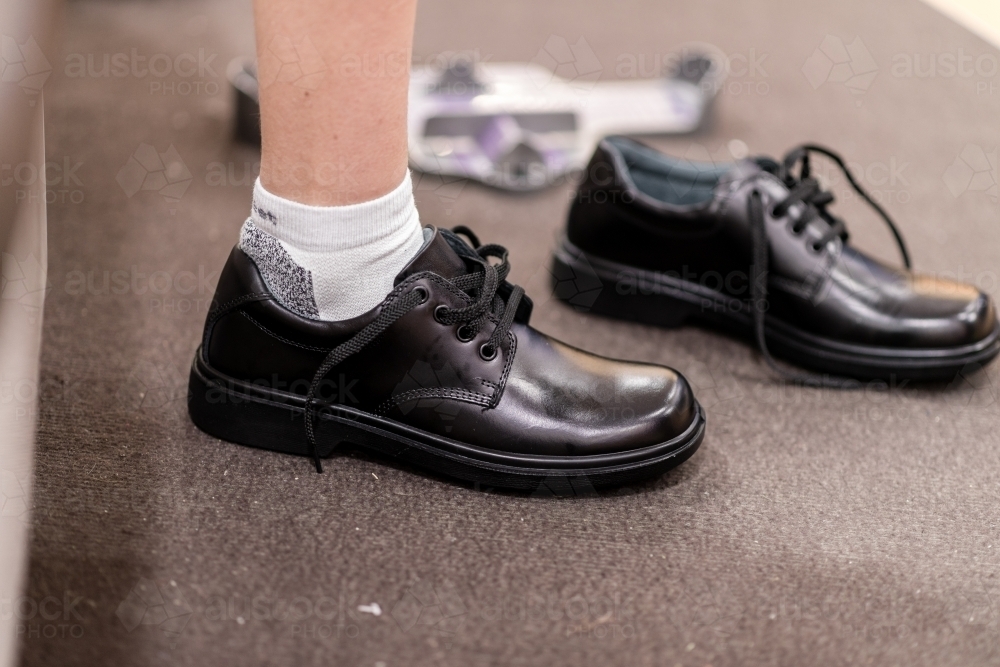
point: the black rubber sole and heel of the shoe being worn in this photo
(256, 416)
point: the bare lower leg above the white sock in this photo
(334, 78)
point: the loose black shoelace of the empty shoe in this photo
(807, 190)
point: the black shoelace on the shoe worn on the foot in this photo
(481, 284)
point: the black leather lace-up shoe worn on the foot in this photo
(444, 374)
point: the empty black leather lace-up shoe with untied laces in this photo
(752, 246)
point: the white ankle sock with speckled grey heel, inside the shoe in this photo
(332, 262)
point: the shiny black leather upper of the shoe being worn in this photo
(537, 396)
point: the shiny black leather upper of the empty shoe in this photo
(835, 292)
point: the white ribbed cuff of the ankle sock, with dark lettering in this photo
(333, 228)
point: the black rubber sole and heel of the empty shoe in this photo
(581, 280)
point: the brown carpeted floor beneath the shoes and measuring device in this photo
(813, 527)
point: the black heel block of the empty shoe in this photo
(576, 282)
